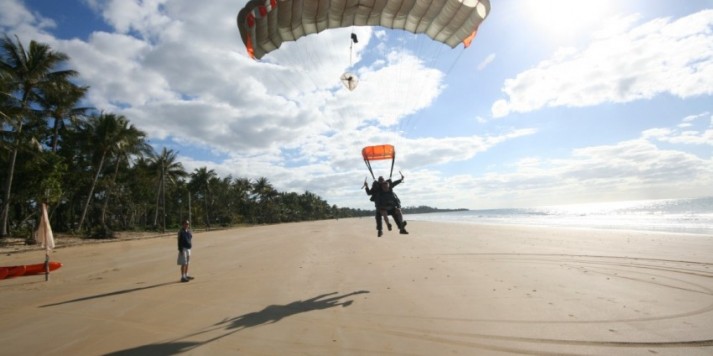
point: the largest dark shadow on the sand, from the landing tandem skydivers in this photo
(269, 315)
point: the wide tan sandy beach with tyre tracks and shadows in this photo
(333, 287)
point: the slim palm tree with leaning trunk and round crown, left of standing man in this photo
(105, 134)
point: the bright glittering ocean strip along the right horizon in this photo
(694, 216)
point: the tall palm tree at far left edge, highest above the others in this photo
(26, 70)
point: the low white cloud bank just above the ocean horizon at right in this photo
(636, 168)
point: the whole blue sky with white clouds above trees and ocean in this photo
(555, 102)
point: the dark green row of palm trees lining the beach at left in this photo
(97, 172)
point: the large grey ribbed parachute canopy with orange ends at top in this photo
(265, 24)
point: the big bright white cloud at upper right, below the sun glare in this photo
(658, 57)
